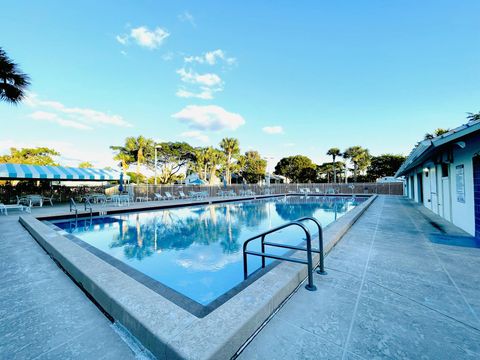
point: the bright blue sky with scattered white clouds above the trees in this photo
(284, 77)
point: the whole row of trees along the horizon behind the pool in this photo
(175, 160)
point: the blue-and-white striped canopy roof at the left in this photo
(22, 171)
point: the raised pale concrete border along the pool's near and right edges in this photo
(166, 329)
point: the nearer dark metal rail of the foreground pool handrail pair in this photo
(310, 286)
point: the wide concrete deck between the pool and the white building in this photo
(397, 287)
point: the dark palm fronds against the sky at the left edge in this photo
(13, 83)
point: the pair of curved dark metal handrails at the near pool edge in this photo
(309, 262)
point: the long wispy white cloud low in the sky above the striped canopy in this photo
(55, 111)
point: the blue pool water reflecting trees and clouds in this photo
(197, 250)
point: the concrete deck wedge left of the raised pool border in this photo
(43, 314)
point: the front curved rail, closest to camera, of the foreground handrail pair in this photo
(310, 285)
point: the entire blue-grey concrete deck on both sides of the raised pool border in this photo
(398, 287)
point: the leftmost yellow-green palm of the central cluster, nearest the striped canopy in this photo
(137, 150)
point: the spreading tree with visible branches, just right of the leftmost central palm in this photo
(173, 157)
